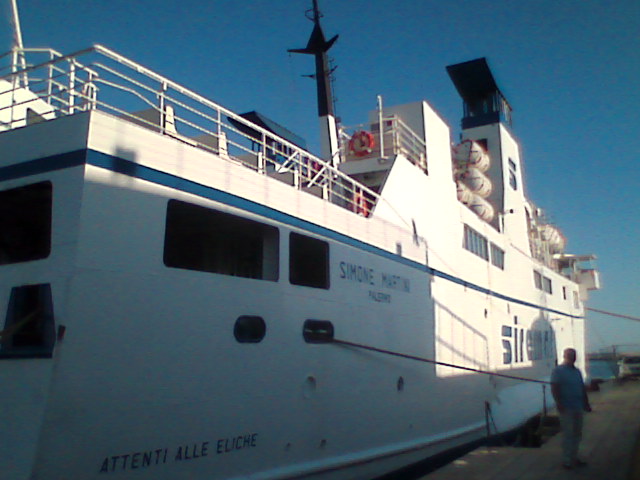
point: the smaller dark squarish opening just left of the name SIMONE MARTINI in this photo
(308, 261)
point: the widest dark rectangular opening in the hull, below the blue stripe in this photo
(206, 240)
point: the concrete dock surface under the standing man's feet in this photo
(610, 446)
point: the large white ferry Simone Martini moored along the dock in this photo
(189, 293)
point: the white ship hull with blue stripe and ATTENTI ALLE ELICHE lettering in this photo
(146, 379)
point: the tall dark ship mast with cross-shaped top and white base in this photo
(318, 46)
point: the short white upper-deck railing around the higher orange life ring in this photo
(390, 137)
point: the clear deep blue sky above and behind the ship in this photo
(569, 68)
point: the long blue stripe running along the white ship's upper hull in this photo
(132, 169)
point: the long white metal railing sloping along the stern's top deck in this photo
(99, 79)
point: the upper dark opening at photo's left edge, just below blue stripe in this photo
(25, 223)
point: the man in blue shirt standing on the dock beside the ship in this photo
(571, 399)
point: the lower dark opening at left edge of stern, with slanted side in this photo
(29, 325)
